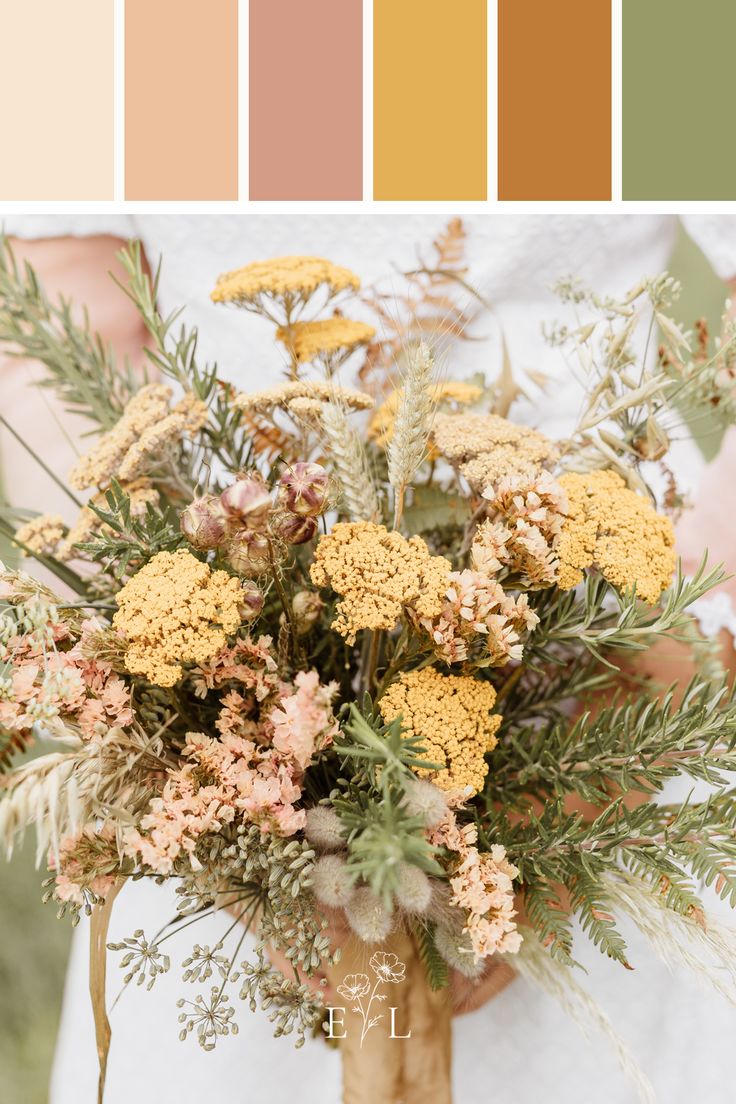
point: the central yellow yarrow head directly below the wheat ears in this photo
(378, 574)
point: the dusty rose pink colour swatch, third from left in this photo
(306, 100)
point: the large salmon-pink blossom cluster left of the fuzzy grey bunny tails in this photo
(253, 773)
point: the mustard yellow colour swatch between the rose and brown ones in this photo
(430, 100)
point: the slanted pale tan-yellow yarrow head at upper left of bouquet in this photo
(146, 428)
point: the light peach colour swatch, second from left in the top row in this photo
(182, 100)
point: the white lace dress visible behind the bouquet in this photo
(520, 1048)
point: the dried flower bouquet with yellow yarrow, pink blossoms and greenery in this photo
(367, 650)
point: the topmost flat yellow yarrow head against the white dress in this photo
(283, 277)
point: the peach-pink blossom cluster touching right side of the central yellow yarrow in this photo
(479, 621)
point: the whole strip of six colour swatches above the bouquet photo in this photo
(145, 108)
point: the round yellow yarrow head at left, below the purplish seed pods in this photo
(176, 611)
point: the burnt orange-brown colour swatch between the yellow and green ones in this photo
(554, 100)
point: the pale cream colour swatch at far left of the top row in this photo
(57, 100)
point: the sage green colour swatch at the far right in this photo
(678, 100)
